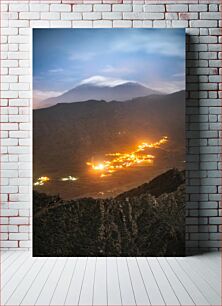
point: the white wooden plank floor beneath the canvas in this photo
(110, 281)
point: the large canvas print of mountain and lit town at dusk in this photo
(108, 142)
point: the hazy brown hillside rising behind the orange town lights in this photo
(67, 135)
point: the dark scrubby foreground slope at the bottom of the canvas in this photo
(146, 221)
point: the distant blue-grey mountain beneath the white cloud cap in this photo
(85, 92)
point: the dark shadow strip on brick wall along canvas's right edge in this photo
(193, 138)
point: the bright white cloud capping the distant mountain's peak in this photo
(99, 80)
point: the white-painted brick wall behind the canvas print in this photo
(204, 91)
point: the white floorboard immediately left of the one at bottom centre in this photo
(100, 284)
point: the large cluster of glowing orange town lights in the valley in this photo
(119, 161)
